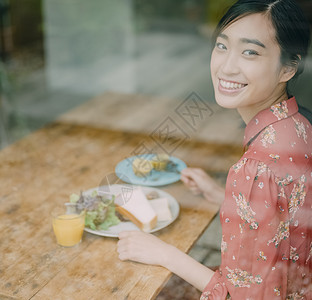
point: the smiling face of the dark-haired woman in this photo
(245, 64)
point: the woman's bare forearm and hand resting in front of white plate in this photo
(147, 248)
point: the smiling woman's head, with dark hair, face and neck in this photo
(267, 39)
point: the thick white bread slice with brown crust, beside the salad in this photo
(137, 209)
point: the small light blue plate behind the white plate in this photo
(156, 178)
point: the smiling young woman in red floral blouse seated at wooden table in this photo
(260, 45)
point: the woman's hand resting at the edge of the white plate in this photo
(142, 247)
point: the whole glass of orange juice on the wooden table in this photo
(68, 226)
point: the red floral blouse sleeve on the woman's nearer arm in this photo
(255, 229)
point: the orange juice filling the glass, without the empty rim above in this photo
(68, 229)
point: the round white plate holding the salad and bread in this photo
(116, 189)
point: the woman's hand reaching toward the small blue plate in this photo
(199, 182)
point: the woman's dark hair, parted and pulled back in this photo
(291, 27)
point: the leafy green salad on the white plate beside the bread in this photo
(99, 210)
